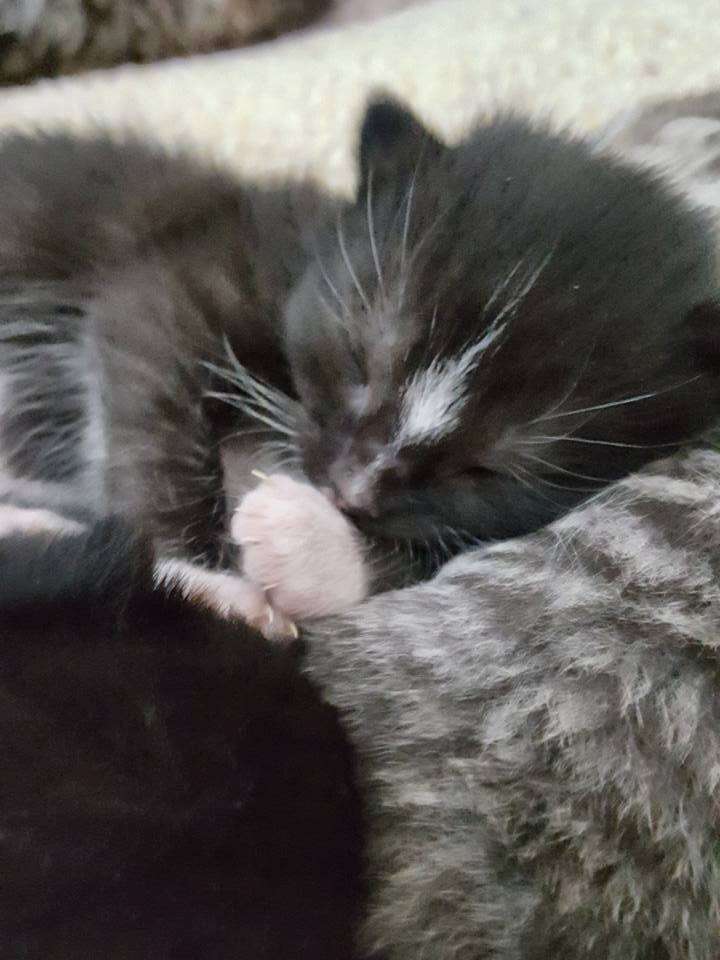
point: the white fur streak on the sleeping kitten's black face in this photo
(433, 398)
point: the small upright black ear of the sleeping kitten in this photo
(392, 141)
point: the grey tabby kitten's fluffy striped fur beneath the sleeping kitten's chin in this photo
(539, 732)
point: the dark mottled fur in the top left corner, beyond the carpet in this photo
(48, 37)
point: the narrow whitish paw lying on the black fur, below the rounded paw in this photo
(228, 595)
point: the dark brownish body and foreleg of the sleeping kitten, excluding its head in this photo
(122, 272)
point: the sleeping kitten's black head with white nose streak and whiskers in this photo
(471, 341)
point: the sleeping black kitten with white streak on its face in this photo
(484, 337)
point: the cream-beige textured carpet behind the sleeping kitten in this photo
(292, 105)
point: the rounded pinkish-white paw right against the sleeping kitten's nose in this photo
(302, 552)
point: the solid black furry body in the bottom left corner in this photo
(171, 786)
